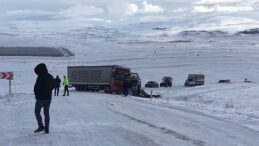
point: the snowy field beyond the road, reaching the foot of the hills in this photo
(154, 56)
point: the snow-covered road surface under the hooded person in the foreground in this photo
(96, 119)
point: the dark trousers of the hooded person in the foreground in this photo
(45, 104)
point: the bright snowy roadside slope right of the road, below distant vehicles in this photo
(235, 98)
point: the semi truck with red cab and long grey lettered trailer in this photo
(107, 78)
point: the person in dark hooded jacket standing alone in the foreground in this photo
(43, 94)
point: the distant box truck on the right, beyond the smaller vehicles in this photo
(194, 80)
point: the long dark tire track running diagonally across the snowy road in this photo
(163, 129)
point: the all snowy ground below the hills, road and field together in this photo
(213, 114)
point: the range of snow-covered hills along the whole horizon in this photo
(203, 27)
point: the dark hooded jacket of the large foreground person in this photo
(44, 83)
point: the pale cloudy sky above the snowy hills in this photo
(18, 13)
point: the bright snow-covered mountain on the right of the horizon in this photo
(209, 26)
